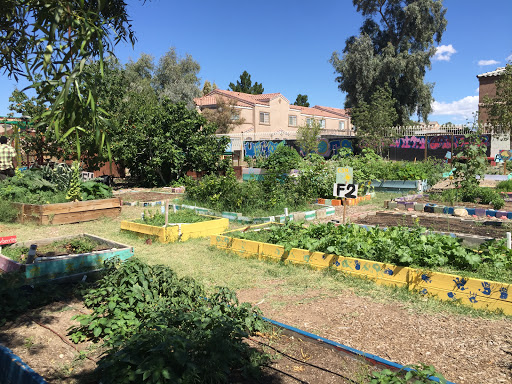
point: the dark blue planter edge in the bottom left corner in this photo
(17, 369)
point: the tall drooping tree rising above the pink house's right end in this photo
(395, 46)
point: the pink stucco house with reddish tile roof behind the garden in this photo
(272, 112)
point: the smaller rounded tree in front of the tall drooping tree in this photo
(373, 120)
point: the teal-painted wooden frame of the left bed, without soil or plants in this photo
(67, 265)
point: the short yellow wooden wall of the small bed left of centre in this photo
(175, 232)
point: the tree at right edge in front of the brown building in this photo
(499, 108)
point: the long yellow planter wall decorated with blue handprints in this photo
(473, 292)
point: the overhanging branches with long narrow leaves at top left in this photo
(51, 39)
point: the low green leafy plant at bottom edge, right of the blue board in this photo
(419, 374)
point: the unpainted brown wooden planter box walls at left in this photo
(66, 213)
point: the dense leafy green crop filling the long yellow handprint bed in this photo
(395, 245)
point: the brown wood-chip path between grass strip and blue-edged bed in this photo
(466, 350)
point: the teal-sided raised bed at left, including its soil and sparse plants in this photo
(54, 264)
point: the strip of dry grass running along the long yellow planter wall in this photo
(213, 267)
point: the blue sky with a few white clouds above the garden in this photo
(286, 45)
